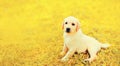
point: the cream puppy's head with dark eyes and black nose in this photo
(71, 25)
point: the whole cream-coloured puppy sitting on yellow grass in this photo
(76, 41)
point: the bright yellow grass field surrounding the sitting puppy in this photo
(31, 34)
